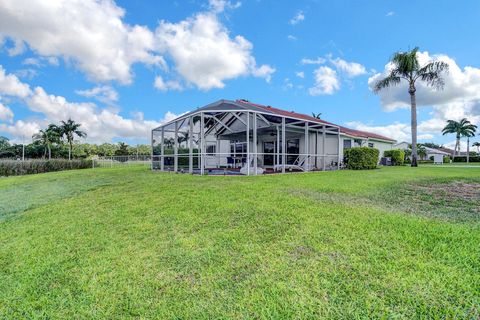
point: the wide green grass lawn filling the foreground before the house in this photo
(127, 242)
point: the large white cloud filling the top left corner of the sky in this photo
(88, 33)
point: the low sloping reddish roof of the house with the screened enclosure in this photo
(244, 105)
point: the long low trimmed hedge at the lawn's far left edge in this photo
(18, 167)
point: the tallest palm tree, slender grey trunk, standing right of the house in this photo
(407, 67)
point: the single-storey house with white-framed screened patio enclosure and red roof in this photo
(241, 137)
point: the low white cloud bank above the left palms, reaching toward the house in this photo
(100, 124)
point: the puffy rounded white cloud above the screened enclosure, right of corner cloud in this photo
(204, 54)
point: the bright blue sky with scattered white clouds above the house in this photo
(121, 68)
